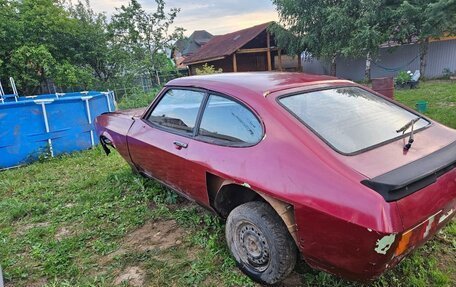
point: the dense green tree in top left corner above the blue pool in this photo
(36, 37)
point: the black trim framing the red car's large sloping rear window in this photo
(351, 86)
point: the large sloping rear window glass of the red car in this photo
(350, 119)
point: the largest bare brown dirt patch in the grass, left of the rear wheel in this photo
(157, 235)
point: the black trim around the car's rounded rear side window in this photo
(221, 142)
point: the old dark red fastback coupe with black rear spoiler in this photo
(351, 179)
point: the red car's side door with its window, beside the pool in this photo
(158, 142)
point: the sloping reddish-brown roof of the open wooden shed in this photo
(224, 45)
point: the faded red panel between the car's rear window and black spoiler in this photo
(391, 156)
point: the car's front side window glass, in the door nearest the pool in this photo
(177, 109)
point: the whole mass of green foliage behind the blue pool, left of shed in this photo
(43, 41)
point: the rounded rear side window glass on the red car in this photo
(229, 122)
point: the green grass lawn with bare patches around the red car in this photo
(86, 220)
